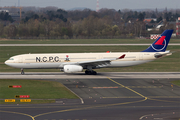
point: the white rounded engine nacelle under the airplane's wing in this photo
(73, 68)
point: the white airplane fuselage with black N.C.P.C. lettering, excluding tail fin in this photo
(58, 60)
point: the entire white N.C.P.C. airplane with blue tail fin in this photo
(76, 62)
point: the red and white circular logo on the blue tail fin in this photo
(160, 44)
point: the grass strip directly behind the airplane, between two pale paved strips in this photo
(167, 64)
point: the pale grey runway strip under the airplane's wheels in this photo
(61, 75)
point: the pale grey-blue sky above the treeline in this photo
(111, 4)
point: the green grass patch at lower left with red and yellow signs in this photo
(37, 89)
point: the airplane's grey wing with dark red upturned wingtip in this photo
(99, 62)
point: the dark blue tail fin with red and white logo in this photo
(161, 43)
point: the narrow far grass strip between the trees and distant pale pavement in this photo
(81, 41)
